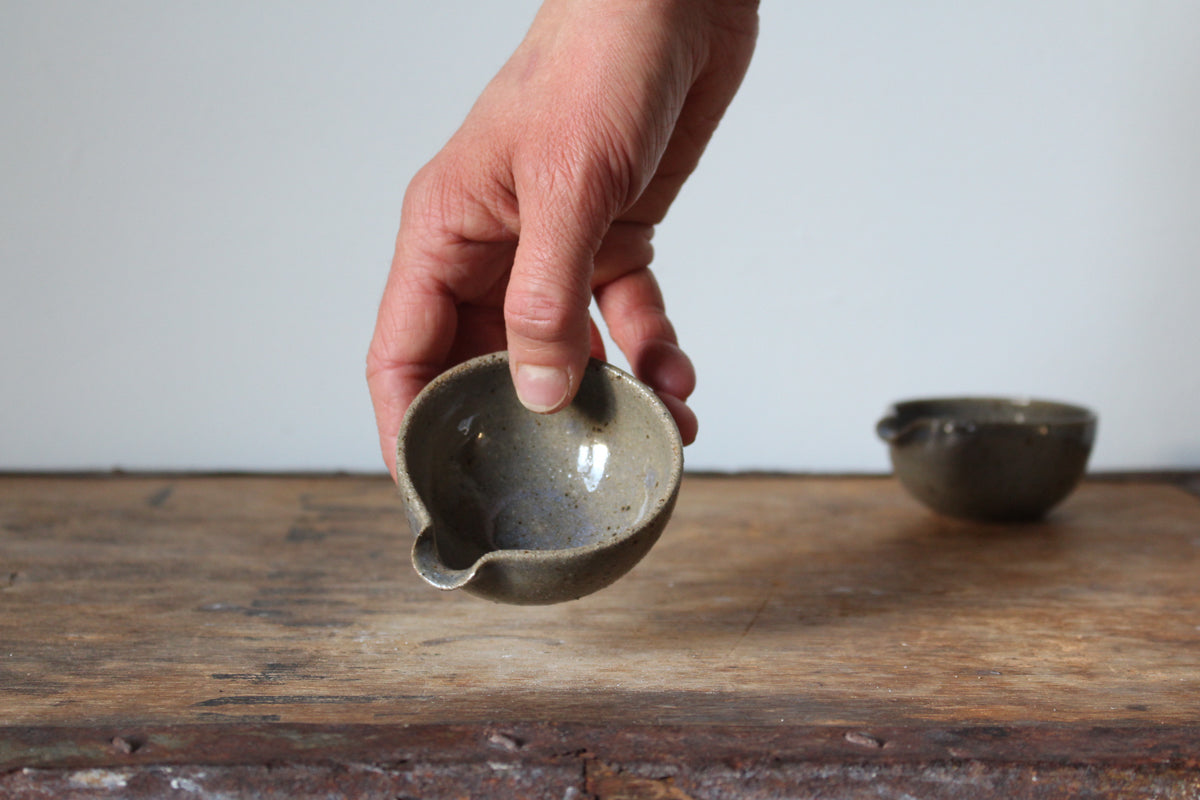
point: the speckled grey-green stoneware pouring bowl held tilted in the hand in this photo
(535, 509)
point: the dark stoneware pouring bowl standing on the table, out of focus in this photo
(989, 459)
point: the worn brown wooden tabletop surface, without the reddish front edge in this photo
(771, 601)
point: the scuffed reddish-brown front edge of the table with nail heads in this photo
(601, 763)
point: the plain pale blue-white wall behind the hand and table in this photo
(199, 202)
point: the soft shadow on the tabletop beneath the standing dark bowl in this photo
(920, 564)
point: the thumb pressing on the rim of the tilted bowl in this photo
(547, 309)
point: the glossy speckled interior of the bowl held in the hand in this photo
(494, 476)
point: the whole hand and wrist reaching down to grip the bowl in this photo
(548, 197)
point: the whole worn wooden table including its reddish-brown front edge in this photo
(229, 636)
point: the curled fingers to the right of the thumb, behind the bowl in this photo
(638, 322)
